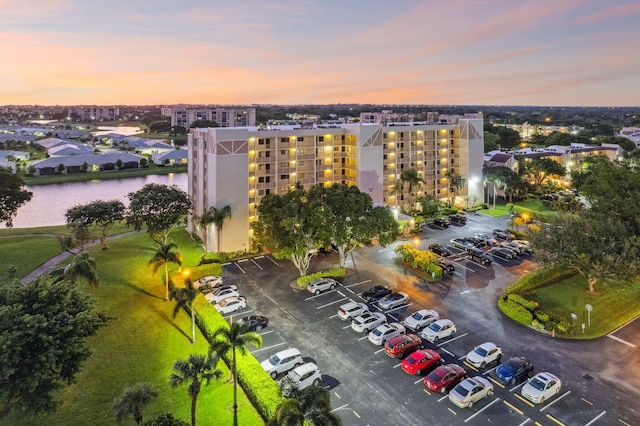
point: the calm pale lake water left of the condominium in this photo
(50, 202)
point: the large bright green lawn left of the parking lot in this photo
(139, 345)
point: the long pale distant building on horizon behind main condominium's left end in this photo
(223, 116)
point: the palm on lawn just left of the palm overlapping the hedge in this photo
(196, 371)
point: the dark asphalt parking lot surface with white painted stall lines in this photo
(369, 388)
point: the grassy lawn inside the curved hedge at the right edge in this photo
(617, 304)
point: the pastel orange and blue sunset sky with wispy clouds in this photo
(464, 52)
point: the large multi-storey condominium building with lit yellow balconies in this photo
(239, 166)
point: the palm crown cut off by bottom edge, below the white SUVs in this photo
(312, 406)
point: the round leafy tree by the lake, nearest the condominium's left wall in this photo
(159, 208)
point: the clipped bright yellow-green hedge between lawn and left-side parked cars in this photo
(260, 388)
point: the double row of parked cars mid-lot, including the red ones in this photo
(405, 340)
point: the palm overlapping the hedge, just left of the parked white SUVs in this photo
(236, 337)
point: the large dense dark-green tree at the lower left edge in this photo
(44, 326)
